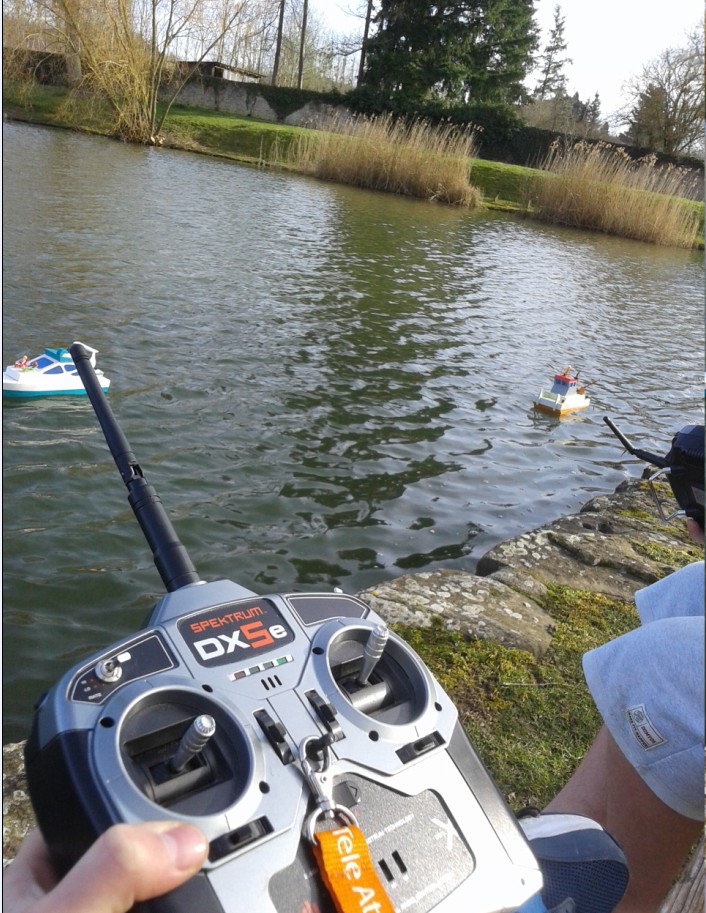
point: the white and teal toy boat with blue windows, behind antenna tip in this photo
(53, 372)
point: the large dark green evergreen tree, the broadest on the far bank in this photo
(467, 50)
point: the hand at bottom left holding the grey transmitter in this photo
(127, 864)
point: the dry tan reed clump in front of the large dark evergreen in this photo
(380, 153)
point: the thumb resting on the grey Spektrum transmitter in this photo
(128, 863)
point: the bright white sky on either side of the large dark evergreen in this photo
(609, 41)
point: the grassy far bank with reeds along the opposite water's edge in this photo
(323, 154)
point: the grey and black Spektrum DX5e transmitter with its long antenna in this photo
(262, 719)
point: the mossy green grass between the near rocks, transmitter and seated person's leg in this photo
(531, 720)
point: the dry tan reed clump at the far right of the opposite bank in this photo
(596, 186)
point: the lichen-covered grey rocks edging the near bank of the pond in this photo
(613, 546)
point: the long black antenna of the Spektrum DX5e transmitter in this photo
(170, 556)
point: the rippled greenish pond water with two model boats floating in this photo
(327, 387)
